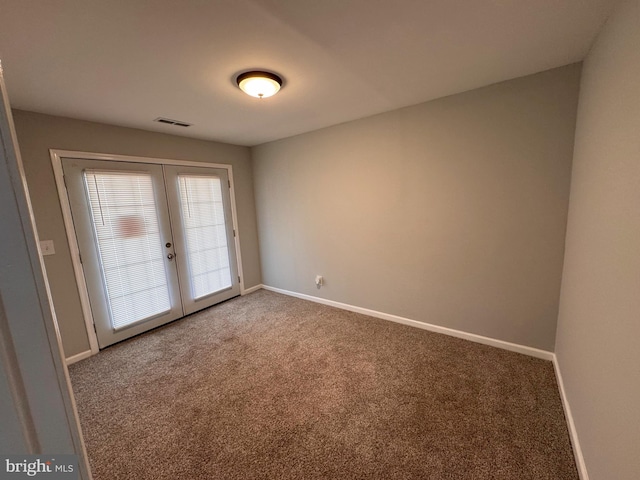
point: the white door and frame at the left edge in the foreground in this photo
(40, 414)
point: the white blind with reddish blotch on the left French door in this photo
(125, 220)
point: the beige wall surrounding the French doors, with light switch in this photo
(38, 133)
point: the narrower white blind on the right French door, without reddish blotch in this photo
(205, 234)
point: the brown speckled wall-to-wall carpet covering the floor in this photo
(271, 387)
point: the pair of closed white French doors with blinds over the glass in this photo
(156, 241)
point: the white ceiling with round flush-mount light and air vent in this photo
(126, 62)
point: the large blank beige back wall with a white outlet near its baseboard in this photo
(451, 212)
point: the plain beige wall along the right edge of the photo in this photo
(599, 322)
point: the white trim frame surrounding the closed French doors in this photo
(56, 161)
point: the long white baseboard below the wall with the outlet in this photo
(513, 347)
